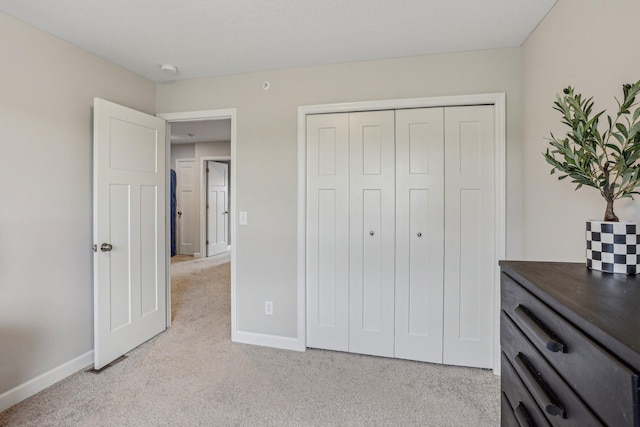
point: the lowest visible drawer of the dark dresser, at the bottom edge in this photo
(523, 409)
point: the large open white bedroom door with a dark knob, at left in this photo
(129, 230)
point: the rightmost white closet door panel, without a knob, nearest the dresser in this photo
(469, 229)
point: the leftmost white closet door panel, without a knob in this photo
(328, 231)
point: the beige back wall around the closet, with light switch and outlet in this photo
(267, 152)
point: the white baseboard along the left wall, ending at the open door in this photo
(39, 383)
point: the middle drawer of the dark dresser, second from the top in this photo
(556, 400)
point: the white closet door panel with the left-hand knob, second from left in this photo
(372, 230)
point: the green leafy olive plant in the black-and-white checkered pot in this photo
(608, 161)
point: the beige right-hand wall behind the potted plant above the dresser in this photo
(592, 46)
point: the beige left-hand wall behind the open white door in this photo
(46, 280)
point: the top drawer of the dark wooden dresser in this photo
(605, 384)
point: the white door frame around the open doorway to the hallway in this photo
(227, 113)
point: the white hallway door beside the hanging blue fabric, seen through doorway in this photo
(187, 212)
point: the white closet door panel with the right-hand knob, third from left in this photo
(419, 234)
